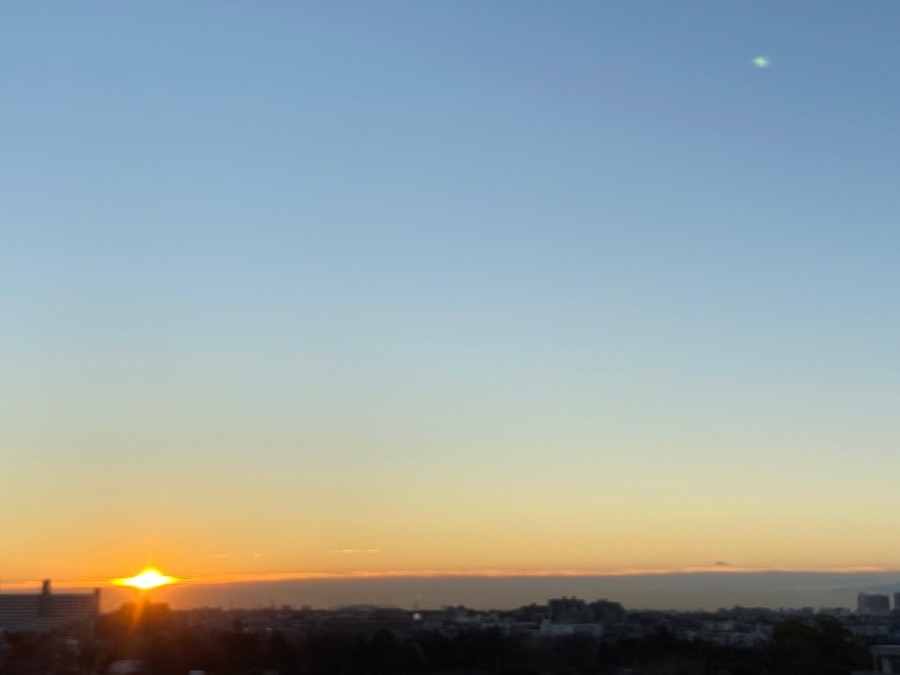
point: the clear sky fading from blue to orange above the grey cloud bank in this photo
(402, 287)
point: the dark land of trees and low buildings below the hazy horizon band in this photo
(565, 636)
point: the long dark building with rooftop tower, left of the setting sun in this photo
(46, 611)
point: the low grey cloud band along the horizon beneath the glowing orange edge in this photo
(707, 591)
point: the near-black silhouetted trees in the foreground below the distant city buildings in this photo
(821, 646)
